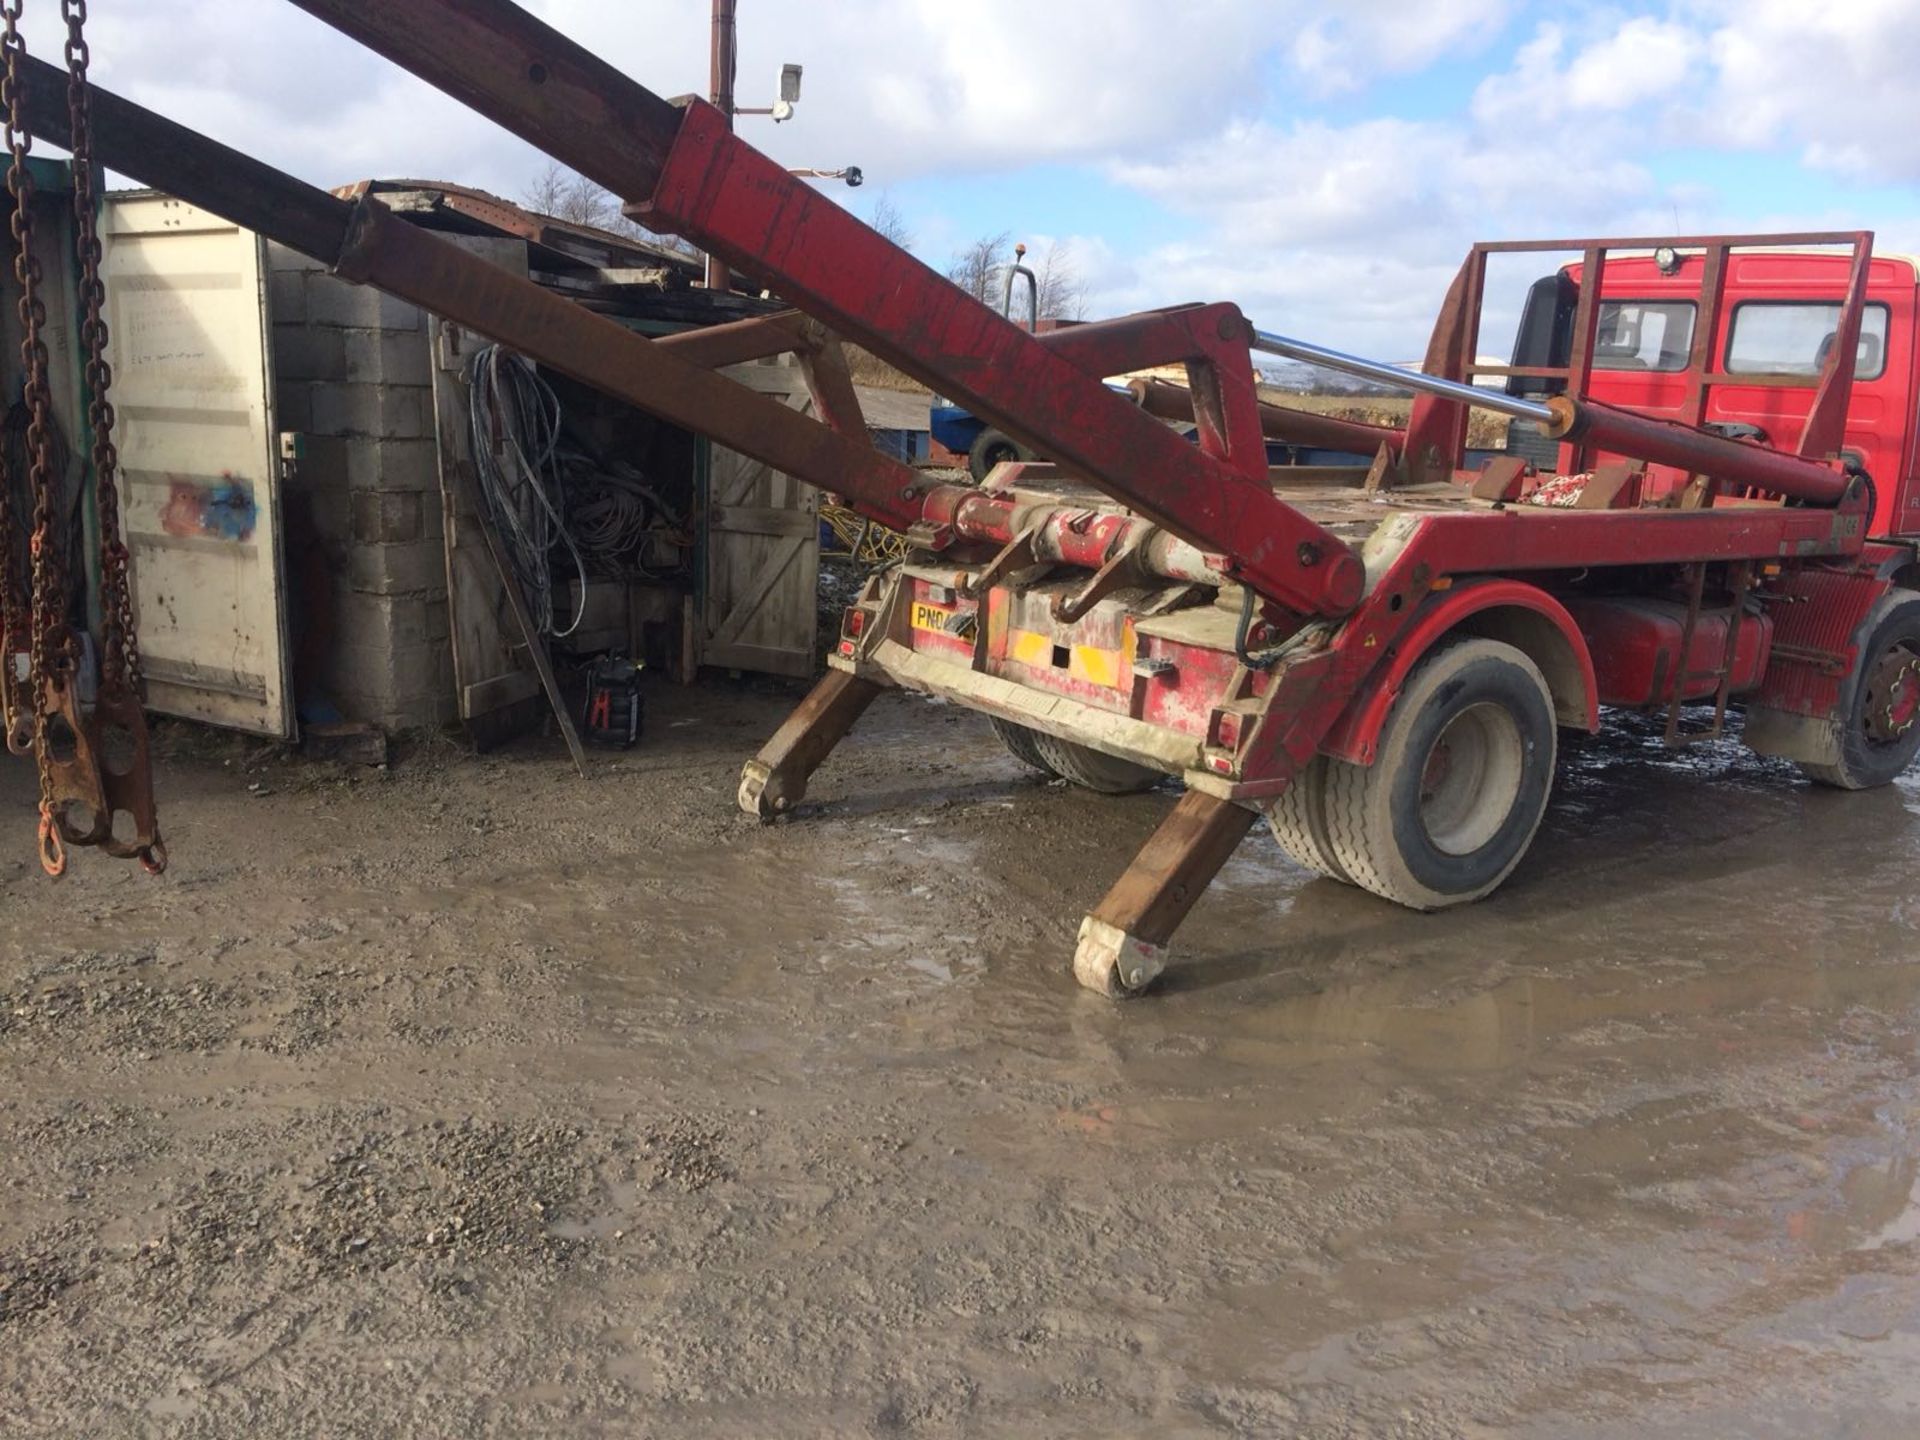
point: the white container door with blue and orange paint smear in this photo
(201, 462)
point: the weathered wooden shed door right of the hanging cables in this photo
(763, 552)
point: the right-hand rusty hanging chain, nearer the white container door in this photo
(120, 654)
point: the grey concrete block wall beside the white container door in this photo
(366, 529)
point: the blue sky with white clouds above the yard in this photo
(1322, 164)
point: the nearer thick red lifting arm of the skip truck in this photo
(684, 170)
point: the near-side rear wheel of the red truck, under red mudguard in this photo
(1458, 786)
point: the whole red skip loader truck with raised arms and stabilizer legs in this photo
(1714, 508)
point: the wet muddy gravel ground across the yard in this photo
(471, 1099)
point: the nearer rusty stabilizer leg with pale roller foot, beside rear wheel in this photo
(1124, 942)
